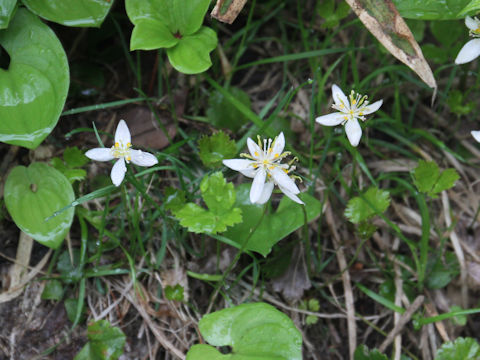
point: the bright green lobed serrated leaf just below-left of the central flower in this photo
(219, 196)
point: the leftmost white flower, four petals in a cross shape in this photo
(123, 152)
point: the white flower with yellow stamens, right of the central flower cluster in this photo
(349, 109)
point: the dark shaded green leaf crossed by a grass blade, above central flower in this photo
(223, 114)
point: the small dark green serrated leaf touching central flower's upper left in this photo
(215, 148)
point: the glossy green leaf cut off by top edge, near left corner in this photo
(71, 12)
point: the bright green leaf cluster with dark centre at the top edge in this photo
(172, 25)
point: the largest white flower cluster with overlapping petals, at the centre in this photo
(264, 166)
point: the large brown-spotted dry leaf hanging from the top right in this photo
(383, 20)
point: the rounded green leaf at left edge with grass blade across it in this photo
(32, 194)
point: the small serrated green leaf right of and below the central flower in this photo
(373, 201)
